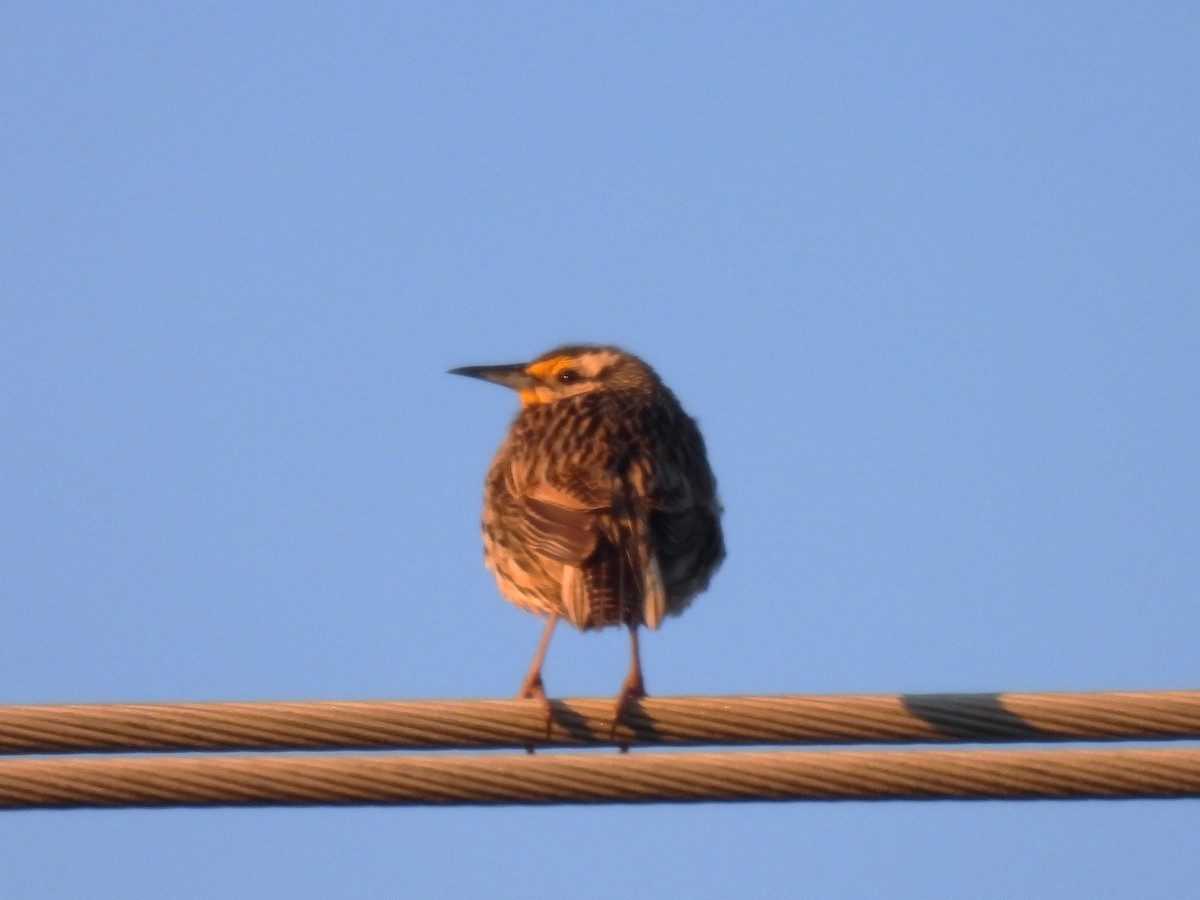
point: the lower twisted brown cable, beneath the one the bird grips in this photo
(610, 778)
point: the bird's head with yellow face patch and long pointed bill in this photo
(567, 371)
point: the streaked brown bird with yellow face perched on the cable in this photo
(601, 507)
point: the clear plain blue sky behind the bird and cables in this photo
(926, 274)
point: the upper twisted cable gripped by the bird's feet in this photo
(428, 725)
